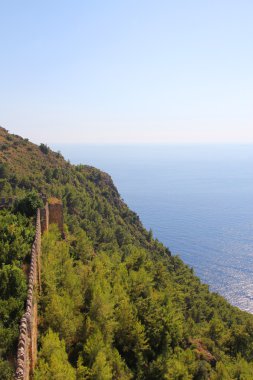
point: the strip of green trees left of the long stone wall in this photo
(16, 235)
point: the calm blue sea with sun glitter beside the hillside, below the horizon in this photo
(197, 199)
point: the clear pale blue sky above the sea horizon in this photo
(127, 71)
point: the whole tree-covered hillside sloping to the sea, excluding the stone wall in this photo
(115, 304)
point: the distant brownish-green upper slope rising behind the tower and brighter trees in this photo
(89, 196)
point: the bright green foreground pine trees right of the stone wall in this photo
(124, 315)
